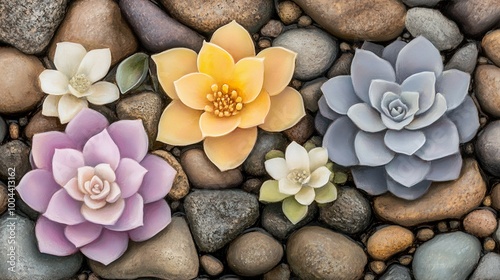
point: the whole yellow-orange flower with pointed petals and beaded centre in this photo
(222, 94)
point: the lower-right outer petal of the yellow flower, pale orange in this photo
(287, 109)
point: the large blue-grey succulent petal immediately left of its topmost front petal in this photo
(367, 66)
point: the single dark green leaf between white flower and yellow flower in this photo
(132, 72)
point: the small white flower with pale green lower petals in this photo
(299, 179)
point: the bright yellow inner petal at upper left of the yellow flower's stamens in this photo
(216, 62)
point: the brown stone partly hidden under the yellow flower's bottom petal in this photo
(203, 174)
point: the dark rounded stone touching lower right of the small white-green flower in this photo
(350, 212)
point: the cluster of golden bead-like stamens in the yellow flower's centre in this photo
(225, 102)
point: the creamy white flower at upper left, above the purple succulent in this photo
(75, 82)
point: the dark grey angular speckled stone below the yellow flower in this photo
(217, 216)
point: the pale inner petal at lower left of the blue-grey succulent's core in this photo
(366, 118)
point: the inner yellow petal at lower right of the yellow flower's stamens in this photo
(255, 113)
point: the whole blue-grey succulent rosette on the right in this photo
(398, 119)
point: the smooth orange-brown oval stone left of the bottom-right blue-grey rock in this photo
(389, 241)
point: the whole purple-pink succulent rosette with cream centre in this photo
(96, 187)
